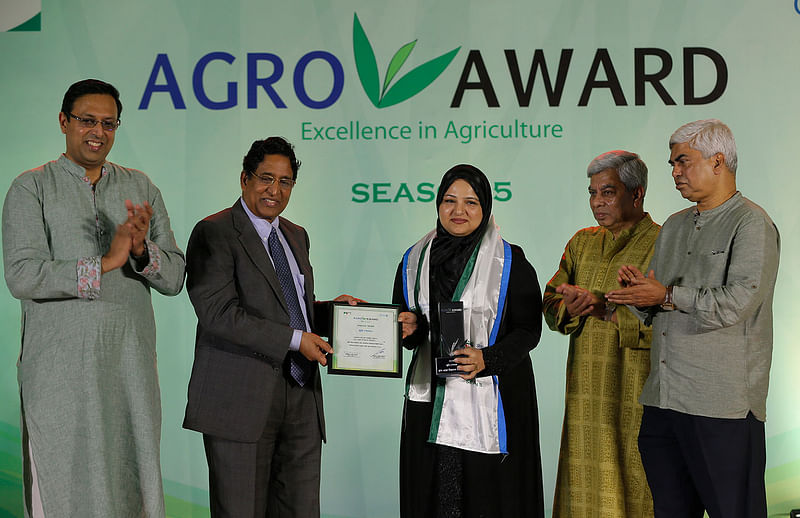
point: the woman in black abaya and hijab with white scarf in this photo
(470, 443)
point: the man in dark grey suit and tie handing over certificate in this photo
(255, 390)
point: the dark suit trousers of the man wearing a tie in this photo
(279, 475)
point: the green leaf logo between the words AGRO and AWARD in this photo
(406, 86)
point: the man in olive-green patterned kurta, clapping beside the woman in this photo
(600, 472)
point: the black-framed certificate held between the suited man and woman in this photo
(366, 340)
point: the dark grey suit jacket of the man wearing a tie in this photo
(243, 331)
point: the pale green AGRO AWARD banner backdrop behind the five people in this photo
(380, 99)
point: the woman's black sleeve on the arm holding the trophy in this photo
(521, 326)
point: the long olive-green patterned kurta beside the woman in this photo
(600, 472)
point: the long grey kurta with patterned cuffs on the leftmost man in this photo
(87, 369)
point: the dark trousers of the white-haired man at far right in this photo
(695, 463)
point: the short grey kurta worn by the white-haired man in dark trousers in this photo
(711, 356)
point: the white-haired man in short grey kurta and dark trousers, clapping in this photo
(709, 296)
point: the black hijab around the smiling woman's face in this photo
(449, 253)
